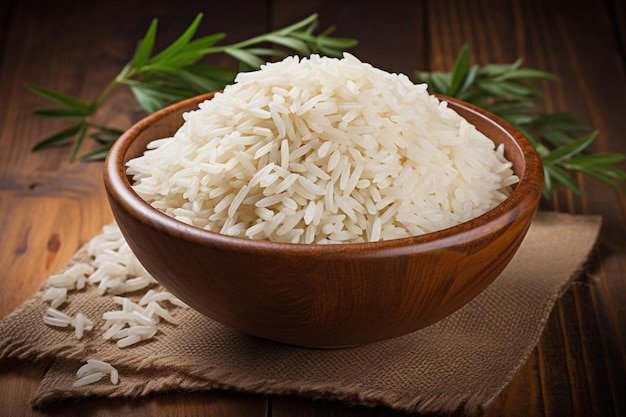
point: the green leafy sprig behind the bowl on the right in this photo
(507, 91)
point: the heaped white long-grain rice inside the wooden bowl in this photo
(323, 150)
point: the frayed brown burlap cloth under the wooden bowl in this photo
(464, 360)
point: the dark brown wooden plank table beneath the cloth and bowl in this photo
(49, 207)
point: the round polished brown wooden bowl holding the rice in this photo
(324, 295)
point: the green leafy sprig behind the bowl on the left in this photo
(177, 72)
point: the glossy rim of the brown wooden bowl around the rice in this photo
(523, 198)
